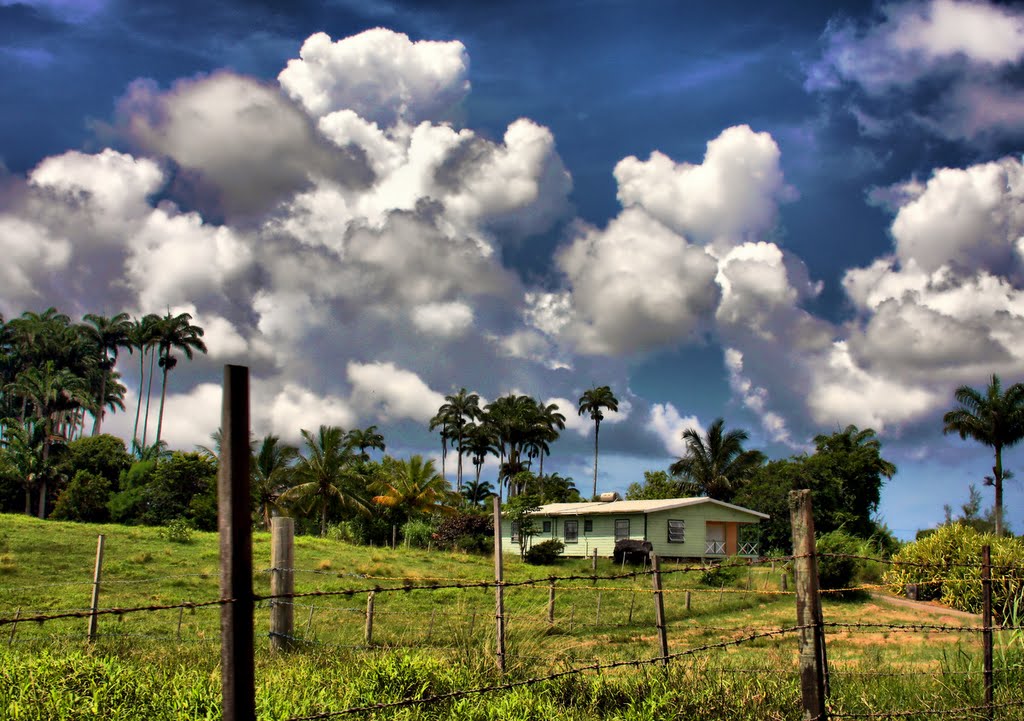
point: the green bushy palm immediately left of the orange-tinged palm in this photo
(326, 473)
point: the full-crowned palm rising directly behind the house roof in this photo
(717, 463)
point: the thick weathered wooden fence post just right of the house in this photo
(814, 667)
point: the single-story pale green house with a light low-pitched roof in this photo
(677, 528)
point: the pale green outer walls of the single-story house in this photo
(651, 527)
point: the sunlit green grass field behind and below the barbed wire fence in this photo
(165, 665)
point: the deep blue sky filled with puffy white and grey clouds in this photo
(795, 217)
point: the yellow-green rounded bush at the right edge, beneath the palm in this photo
(947, 567)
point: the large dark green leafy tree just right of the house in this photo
(845, 476)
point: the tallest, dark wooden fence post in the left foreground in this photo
(235, 521)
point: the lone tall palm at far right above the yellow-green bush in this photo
(996, 419)
